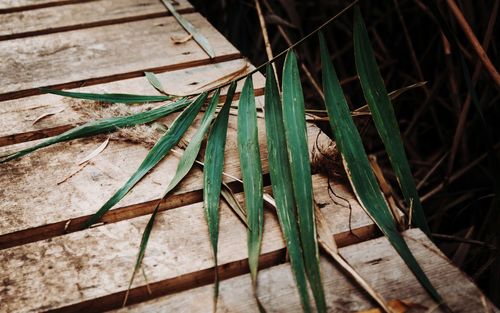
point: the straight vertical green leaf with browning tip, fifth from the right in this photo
(248, 148)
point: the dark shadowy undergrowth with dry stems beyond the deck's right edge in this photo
(459, 196)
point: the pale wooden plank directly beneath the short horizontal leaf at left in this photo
(17, 115)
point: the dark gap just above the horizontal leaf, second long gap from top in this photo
(109, 78)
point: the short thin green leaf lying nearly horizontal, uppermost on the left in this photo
(107, 97)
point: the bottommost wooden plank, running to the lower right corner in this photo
(375, 260)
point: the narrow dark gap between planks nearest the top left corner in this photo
(94, 24)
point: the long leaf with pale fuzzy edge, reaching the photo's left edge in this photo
(103, 126)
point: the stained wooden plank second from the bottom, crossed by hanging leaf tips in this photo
(89, 270)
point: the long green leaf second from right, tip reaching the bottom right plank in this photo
(358, 168)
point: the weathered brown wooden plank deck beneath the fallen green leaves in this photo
(46, 263)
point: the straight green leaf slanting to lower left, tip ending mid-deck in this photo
(155, 155)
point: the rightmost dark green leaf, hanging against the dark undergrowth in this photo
(385, 119)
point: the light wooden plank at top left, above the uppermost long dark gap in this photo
(82, 15)
